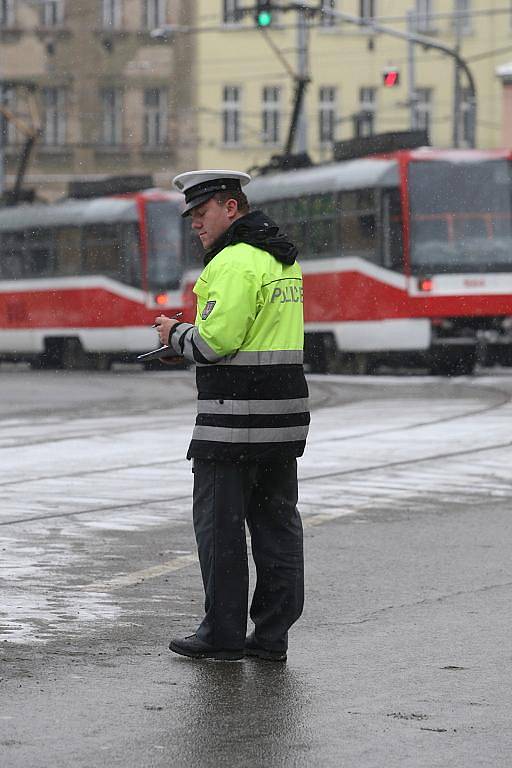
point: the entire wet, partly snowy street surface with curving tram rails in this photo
(405, 498)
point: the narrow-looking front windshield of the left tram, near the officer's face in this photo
(165, 260)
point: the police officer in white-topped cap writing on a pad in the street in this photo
(252, 419)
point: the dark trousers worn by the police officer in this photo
(264, 494)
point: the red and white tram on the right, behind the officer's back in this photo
(407, 257)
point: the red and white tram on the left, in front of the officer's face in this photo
(82, 280)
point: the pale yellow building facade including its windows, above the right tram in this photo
(245, 76)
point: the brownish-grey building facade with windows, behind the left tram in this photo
(106, 96)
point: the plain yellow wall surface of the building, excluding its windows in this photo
(348, 58)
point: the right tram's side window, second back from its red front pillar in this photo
(358, 225)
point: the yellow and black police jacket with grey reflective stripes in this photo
(247, 343)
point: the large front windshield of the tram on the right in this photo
(461, 216)
